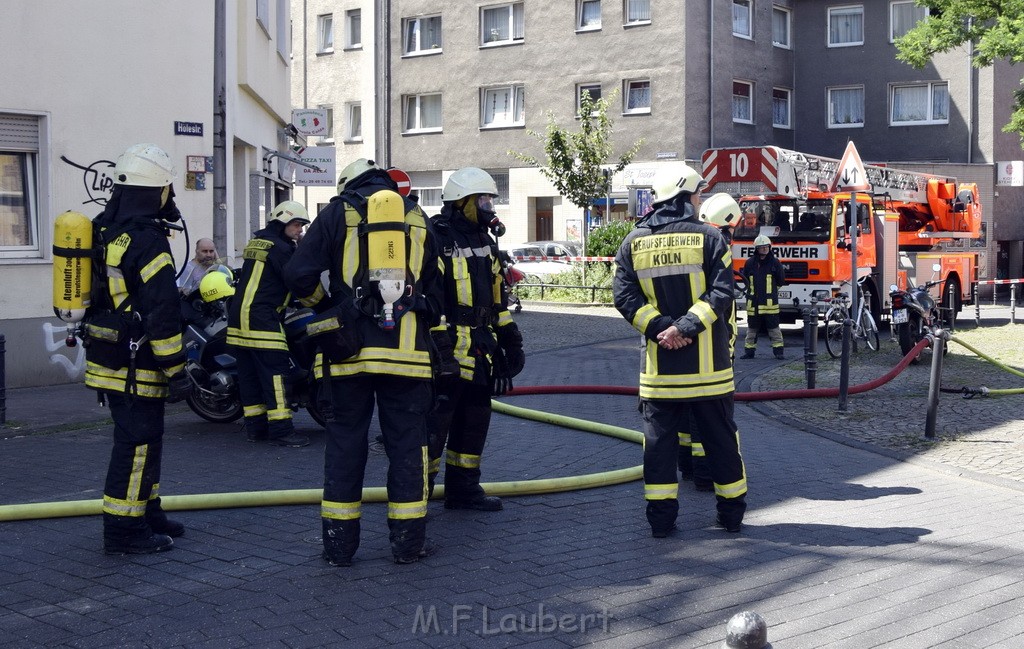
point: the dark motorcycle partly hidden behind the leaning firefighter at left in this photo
(215, 372)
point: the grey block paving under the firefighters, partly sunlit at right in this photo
(843, 546)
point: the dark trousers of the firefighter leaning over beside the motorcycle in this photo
(263, 375)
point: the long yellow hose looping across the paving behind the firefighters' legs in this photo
(32, 511)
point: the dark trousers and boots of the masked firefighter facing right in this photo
(461, 421)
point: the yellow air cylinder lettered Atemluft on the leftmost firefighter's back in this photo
(72, 270)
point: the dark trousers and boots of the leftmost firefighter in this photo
(135, 466)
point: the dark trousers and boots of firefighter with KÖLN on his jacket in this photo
(663, 421)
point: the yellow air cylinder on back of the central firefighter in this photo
(387, 250)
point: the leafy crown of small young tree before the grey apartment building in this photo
(575, 159)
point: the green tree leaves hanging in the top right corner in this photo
(997, 28)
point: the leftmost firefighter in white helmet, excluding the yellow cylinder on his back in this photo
(134, 355)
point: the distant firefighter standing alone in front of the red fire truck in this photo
(764, 275)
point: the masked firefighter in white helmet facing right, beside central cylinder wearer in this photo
(479, 341)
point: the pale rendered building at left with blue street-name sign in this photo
(208, 81)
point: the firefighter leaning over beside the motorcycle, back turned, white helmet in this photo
(255, 330)
